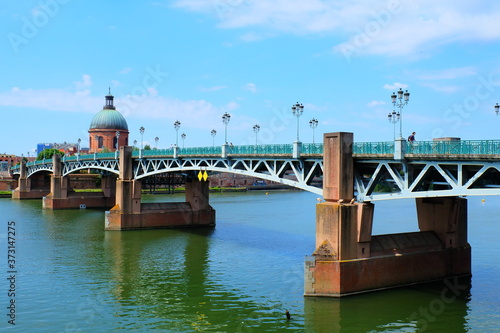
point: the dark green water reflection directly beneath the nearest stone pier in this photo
(434, 307)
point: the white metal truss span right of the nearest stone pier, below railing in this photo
(378, 179)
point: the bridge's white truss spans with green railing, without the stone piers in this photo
(427, 168)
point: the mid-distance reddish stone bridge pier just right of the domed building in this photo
(130, 214)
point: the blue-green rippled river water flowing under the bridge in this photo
(72, 276)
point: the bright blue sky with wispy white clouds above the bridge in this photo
(194, 60)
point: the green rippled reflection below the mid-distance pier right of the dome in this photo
(167, 276)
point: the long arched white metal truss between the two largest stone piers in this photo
(297, 173)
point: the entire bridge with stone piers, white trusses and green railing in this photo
(348, 258)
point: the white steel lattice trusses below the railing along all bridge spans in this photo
(374, 179)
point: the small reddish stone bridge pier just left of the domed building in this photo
(61, 195)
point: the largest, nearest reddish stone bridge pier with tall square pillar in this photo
(350, 260)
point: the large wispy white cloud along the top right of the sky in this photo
(392, 27)
